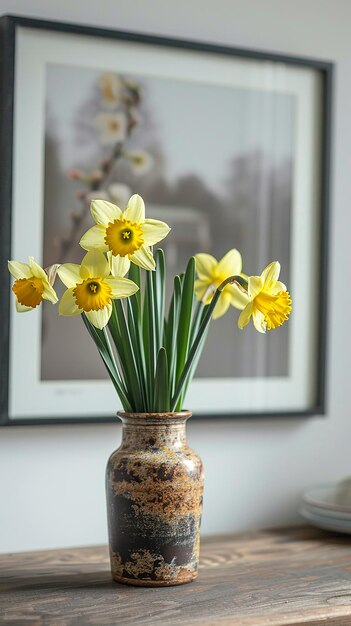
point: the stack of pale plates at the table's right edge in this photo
(329, 507)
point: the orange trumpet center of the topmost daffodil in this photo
(124, 237)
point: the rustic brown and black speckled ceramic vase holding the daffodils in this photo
(154, 486)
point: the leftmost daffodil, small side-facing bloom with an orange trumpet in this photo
(32, 285)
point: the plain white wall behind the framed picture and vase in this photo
(52, 477)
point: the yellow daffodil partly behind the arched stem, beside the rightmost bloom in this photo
(212, 273)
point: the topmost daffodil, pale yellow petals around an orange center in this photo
(124, 234)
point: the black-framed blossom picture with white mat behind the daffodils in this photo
(229, 146)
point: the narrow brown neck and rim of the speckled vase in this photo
(154, 430)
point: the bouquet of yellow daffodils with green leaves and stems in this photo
(151, 356)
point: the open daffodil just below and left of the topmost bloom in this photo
(91, 288)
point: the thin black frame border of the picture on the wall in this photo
(8, 27)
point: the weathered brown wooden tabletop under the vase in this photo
(269, 577)
